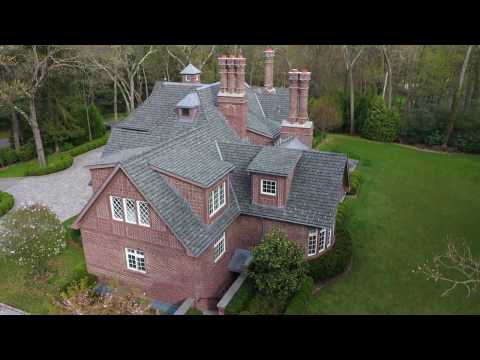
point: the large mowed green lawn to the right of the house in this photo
(410, 202)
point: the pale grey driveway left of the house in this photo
(65, 192)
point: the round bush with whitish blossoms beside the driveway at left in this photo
(31, 235)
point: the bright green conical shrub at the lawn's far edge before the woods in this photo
(381, 124)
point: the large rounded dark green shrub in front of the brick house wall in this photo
(278, 266)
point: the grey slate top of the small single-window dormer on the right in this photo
(275, 161)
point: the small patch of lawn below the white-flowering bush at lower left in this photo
(19, 290)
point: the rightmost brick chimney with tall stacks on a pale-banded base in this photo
(298, 124)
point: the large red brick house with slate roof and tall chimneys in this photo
(199, 172)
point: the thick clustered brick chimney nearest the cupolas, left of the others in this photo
(232, 101)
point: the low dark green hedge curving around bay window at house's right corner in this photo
(335, 261)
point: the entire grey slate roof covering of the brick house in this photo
(151, 140)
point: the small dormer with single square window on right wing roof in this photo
(271, 173)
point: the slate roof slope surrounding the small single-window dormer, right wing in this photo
(315, 189)
